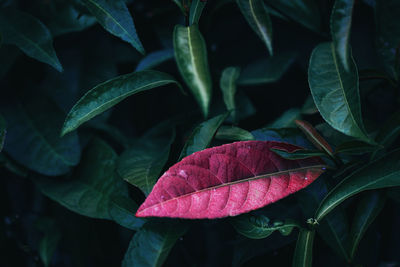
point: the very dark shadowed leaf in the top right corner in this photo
(388, 34)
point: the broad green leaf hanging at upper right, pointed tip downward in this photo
(335, 91)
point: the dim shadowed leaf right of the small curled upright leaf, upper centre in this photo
(266, 70)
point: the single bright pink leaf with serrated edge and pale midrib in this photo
(229, 180)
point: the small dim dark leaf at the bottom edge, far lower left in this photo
(49, 242)
